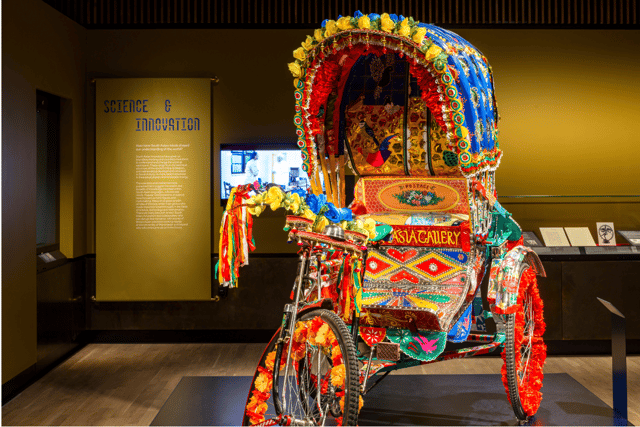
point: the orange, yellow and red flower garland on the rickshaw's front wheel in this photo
(317, 333)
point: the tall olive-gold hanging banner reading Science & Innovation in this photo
(153, 207)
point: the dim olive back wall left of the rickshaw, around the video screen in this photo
(253, 101)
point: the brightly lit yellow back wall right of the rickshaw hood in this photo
(568, 101)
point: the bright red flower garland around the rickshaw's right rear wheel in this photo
(530, 395)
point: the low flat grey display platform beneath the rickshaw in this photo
(401, 400)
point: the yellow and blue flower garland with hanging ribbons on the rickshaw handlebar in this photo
(236, 237)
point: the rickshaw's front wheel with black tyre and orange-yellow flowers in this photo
(322, 354)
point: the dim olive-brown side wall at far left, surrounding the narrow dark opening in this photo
(41, 49)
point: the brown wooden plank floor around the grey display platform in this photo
(127, 384)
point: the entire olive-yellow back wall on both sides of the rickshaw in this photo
(567, 100)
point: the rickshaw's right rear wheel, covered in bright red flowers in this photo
(525, 352)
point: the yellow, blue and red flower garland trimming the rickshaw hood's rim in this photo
(316, 71)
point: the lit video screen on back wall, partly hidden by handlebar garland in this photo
(267, 166)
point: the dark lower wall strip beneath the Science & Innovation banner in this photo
(256, 304)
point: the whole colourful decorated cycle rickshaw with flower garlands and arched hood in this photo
(387, 282)
